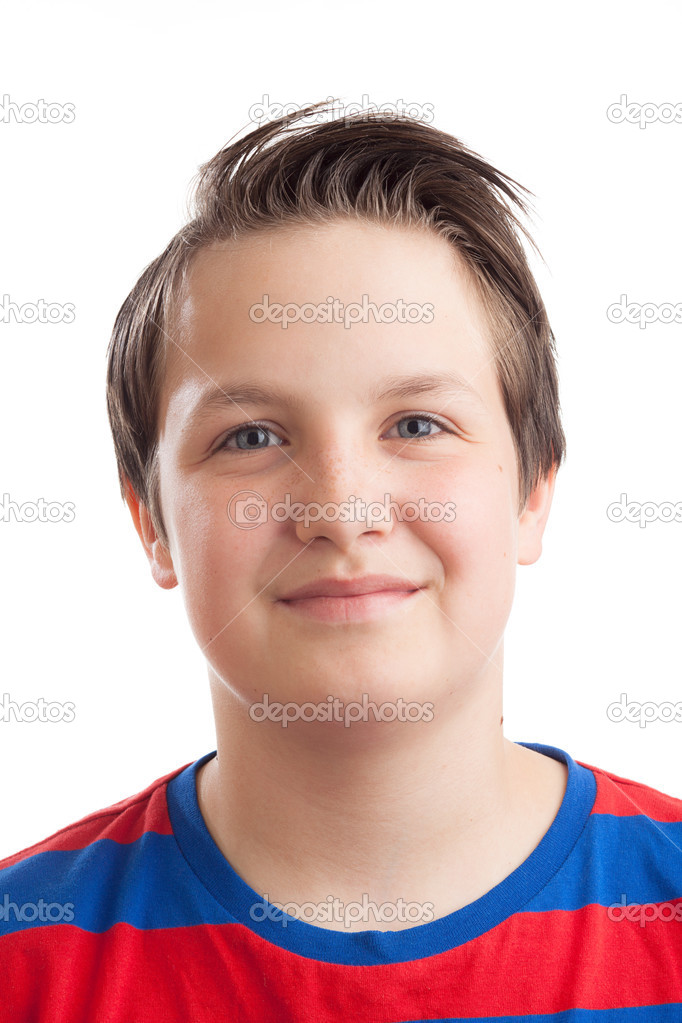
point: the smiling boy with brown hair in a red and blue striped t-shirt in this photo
(335, 408)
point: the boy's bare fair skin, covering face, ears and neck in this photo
(436, 811)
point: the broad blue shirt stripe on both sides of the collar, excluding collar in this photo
(110, 883)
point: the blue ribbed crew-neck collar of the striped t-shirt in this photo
(375, 947)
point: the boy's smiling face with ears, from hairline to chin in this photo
(328, 435)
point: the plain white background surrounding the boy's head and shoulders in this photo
(158, 88)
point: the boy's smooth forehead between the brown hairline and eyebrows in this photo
(215, 331)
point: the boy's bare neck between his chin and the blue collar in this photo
(435, 812)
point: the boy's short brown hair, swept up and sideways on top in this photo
(378, 168)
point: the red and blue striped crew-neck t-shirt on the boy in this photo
(133, 916)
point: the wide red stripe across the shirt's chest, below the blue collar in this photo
(533, 963)
